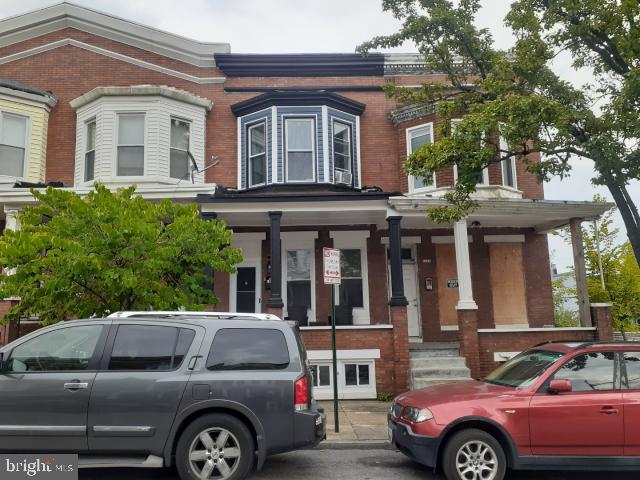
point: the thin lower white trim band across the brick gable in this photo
(108, 53)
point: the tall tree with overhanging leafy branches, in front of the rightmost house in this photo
(515, 95)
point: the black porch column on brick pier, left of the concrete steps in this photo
(398, 309)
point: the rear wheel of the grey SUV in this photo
(215, 447)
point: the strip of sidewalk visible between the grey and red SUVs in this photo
(362, 423)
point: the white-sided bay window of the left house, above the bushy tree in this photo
(142, 140)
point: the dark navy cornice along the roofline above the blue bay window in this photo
(301, 65)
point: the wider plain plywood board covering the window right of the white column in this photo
(507, 284)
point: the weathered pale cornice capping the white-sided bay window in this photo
(142, 90)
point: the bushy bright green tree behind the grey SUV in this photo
(109, 251)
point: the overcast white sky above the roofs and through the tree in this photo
(280, 26)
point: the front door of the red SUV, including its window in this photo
(588, 421)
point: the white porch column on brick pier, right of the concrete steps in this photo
(467, 308)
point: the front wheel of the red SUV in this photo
(473, 455)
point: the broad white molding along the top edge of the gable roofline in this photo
(23, 27)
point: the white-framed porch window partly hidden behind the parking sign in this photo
(353, 293)
